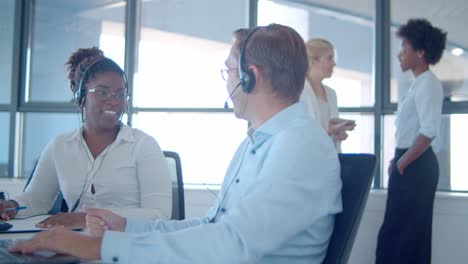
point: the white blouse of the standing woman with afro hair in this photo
(420, 110)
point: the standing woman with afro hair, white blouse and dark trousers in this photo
(405, 235)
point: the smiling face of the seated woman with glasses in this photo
(104, 105)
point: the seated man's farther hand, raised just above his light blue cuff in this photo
(100, 220)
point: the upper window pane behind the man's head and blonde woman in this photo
(350, 30)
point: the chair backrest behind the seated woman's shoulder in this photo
(178, 200)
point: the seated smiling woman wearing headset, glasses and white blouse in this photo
(104, 163)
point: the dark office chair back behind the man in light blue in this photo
(357, 171)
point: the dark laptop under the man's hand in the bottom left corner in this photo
(41, 257)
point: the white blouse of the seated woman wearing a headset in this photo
(130, 177)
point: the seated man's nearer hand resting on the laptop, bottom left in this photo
(61, 240)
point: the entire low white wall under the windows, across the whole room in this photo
(450, 225)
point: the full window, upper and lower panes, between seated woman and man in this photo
(181, 49)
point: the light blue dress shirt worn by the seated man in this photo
(277, 204)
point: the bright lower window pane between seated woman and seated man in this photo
(205, 141)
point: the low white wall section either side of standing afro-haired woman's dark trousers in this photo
(450, 229)
